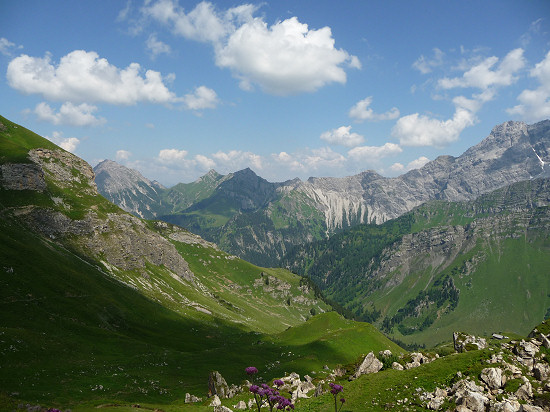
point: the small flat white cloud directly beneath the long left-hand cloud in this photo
(70, 114)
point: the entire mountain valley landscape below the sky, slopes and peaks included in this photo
(103, 308)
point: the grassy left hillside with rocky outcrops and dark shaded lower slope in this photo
(99, 306)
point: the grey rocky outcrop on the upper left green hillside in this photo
(72, 212)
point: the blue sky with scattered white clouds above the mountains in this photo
(174, 88)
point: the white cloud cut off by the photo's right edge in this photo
(535, 104)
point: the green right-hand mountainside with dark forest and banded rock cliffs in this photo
(482, 265)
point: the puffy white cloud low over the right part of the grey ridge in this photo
(419, 130)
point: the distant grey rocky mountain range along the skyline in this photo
(260, 221)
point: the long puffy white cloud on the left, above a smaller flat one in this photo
(83, 76)
